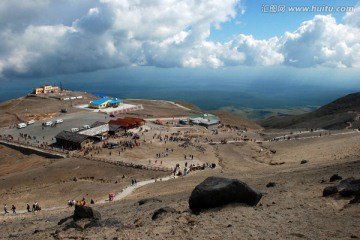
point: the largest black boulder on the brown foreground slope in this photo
(217, 191)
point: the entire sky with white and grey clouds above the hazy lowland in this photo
(40, 38)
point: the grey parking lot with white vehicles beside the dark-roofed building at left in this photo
(47, 133)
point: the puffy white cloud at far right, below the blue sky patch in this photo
(322, 42)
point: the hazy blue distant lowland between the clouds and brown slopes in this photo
(225, 90)
